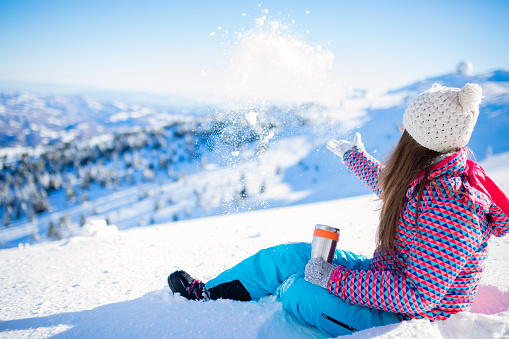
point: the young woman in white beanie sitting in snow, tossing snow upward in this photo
(438, 212)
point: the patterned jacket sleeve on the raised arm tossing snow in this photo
(365, 167)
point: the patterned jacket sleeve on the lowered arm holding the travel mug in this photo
(446, 237)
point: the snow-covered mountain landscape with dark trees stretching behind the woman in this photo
(154, 164)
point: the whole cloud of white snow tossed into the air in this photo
(272, 84)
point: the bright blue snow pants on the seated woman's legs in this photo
(279, 271)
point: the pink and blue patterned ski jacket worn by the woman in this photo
(436, 267)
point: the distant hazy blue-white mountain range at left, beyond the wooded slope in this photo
(33, 119)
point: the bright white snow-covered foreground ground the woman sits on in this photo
(109, 283)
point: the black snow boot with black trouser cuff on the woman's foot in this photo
(193, 289)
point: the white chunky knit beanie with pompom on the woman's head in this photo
(443, 118)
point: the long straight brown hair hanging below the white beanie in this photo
(402, 167)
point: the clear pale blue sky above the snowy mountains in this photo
(174, 46)
